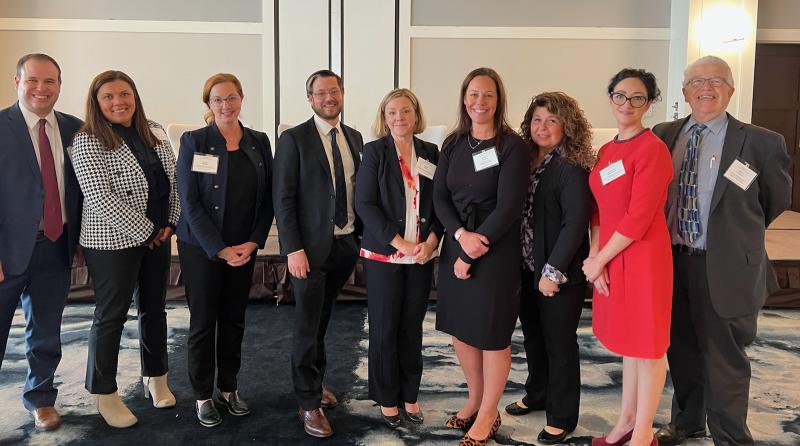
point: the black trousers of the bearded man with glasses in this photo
(314, 299)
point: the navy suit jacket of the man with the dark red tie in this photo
(22, 193)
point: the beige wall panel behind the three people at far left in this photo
(169, 69)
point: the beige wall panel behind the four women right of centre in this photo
(528, 67)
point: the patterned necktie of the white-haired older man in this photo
(688, 213)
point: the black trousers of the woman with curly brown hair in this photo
(550, 326)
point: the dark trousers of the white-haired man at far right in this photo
(708, 364)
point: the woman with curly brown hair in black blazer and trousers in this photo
(555, 223)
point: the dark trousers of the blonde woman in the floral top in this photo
(397, 296)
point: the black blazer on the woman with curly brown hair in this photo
(561, 214)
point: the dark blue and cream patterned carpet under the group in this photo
(265, 383)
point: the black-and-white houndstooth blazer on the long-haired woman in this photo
(115, 191)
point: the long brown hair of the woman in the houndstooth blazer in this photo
(97, 125)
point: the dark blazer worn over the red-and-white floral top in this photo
(380, 198)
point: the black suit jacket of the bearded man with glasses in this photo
(302, 191)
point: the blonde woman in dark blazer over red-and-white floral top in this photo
(394, 199)
